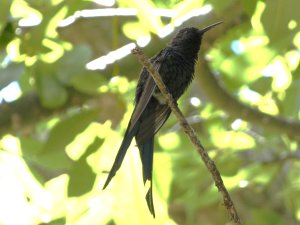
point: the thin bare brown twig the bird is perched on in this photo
(192, 135)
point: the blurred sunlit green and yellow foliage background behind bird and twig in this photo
(67, 82)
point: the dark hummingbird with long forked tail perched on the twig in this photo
(175, 64)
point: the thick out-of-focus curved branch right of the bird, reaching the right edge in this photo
(222, 99)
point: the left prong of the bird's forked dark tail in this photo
(121, 153)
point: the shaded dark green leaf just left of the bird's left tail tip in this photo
(82, 177)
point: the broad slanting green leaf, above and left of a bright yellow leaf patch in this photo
(65, 131)
